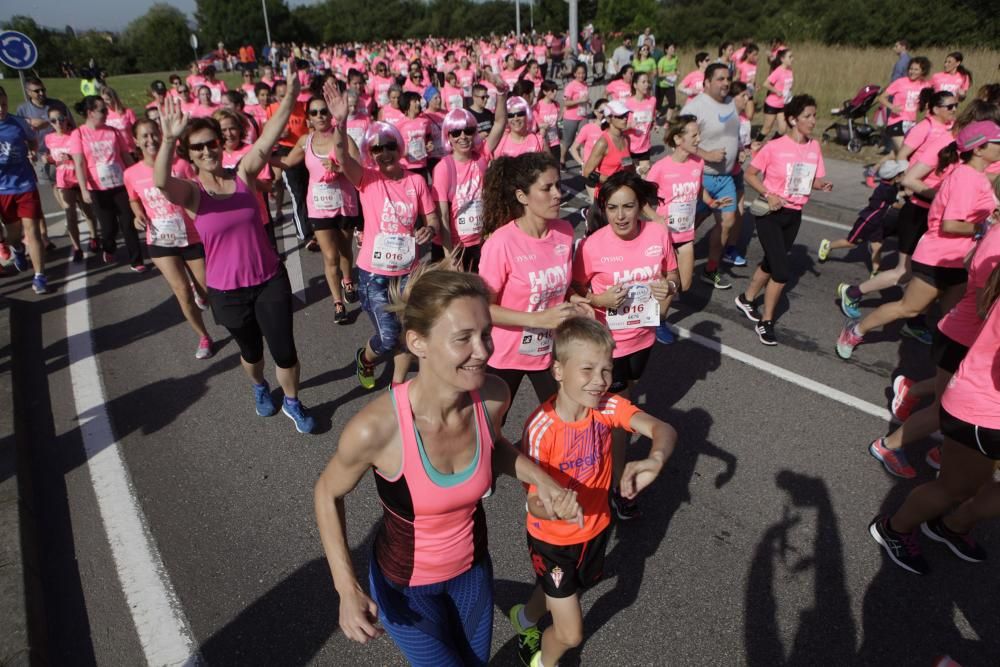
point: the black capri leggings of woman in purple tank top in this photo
(255, 314)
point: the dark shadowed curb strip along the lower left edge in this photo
(20, 582)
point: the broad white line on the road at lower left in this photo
(160, 622)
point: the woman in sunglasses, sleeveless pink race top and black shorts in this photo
(331, 203)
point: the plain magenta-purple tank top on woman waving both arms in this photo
(237, 251)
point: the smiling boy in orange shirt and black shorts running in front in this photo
(569, 436)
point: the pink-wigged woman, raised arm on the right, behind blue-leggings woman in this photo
(459, 177)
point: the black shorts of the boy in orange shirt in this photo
(564, 570)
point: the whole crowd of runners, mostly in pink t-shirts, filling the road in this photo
(427, 175)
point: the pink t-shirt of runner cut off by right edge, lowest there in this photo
(973, 393)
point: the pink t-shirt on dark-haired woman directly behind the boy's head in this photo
(604, 259)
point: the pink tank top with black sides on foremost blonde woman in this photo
(433, 525)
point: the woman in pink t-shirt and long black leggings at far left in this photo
(100, 156)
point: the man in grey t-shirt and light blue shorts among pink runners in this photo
(719, 123)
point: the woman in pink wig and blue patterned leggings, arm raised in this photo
(392, 202)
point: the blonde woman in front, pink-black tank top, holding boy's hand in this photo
(434, 445)
